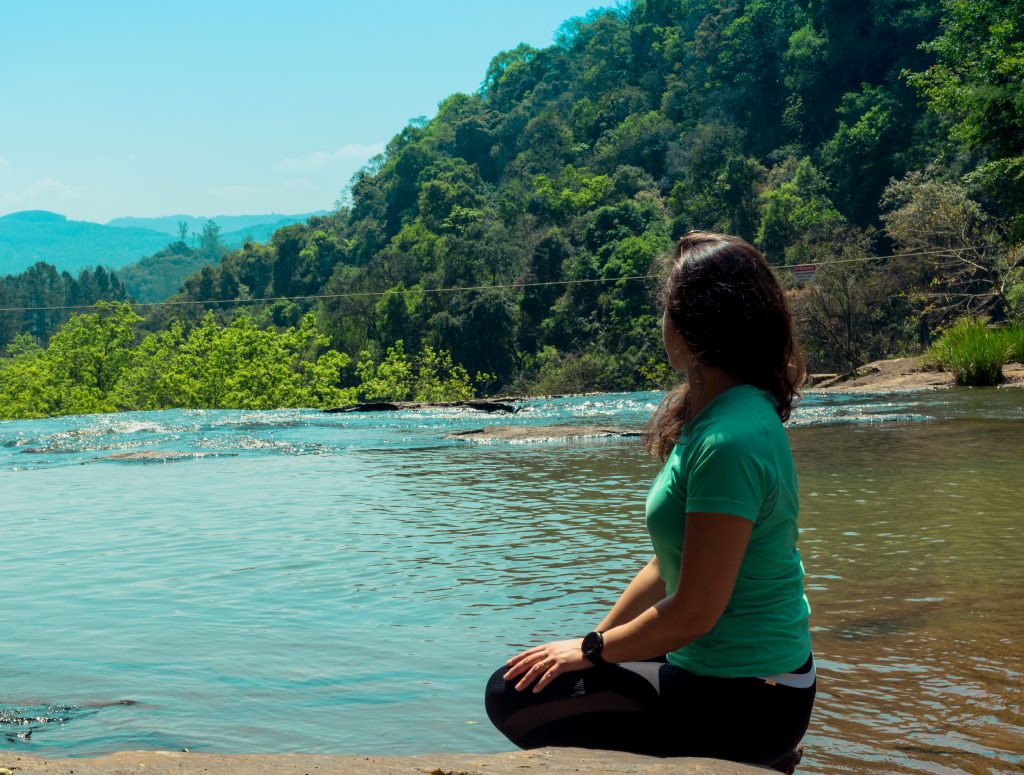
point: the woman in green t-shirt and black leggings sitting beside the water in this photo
(708, 653)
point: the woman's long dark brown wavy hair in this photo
(728, 304)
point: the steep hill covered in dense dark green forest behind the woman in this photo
(782, 121)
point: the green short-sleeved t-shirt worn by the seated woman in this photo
(735, 458)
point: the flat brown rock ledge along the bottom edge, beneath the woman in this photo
(551, 761)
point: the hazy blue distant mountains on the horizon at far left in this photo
(34, 236)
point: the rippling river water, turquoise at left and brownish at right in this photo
(346, 583)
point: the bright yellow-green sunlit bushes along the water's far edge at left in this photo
(96, 363)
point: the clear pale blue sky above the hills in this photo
(115, 108)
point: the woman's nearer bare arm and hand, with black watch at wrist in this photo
(714, 546)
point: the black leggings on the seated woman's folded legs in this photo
(614, 708)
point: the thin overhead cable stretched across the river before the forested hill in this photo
(456, 289)
